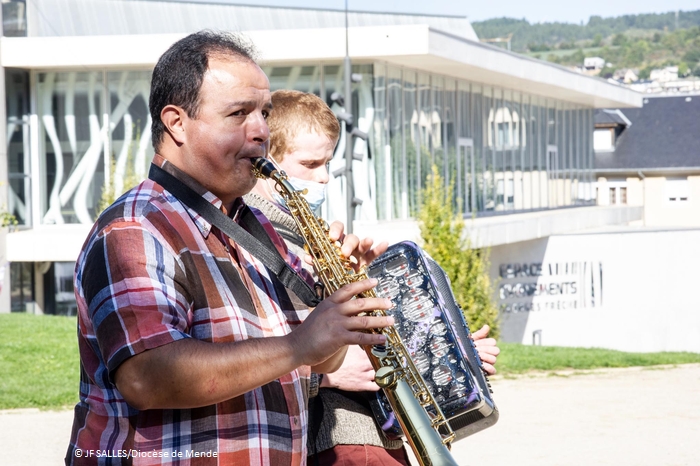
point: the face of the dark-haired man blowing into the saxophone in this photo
(230, 127)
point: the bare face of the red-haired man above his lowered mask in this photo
(308, 161)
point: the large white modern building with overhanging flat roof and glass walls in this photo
(513, 135)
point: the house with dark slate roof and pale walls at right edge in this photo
(650, 156)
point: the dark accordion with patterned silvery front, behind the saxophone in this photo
(433, 329)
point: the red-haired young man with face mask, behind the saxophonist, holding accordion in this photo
(303, 135)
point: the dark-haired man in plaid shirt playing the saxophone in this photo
(191, 351)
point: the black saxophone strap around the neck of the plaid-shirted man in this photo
(257, 242)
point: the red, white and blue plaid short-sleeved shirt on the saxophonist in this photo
(153, 272)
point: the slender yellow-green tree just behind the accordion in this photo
(442, 231)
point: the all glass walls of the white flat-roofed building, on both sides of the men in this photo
(500, 150)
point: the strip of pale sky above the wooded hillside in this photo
(534, 10)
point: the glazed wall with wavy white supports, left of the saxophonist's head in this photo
(94, 136)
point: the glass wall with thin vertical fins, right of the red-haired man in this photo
(500, 150)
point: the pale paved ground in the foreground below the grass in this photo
(621, 417)
